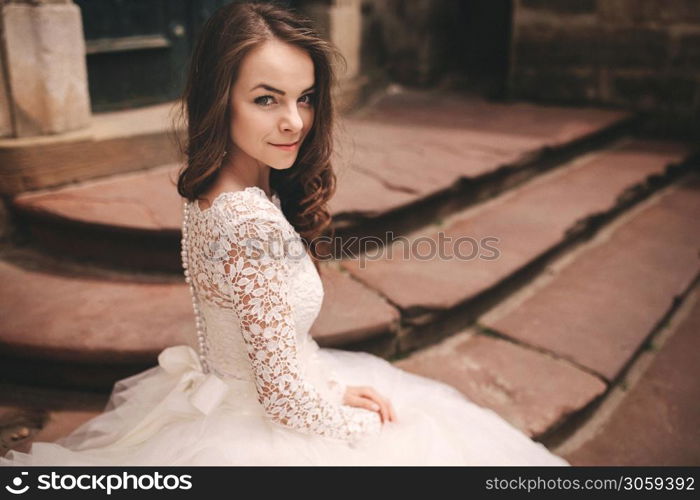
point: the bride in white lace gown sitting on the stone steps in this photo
(253, 387)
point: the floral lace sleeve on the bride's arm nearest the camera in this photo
(258, 279)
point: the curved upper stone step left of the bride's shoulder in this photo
(132, 221)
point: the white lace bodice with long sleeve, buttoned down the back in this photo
(258, 293)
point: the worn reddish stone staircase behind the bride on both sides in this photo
(576, 207)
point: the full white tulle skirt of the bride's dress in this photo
(149, 421)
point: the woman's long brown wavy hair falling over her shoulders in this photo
(226, 38)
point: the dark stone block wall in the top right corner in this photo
(636, 54)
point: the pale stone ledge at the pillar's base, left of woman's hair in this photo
(115, 142)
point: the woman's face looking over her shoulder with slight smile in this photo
(272, 104)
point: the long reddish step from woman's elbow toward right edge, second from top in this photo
(510, 233)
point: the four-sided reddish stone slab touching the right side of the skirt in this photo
(533, 391)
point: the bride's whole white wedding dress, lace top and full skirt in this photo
(254, 388)
